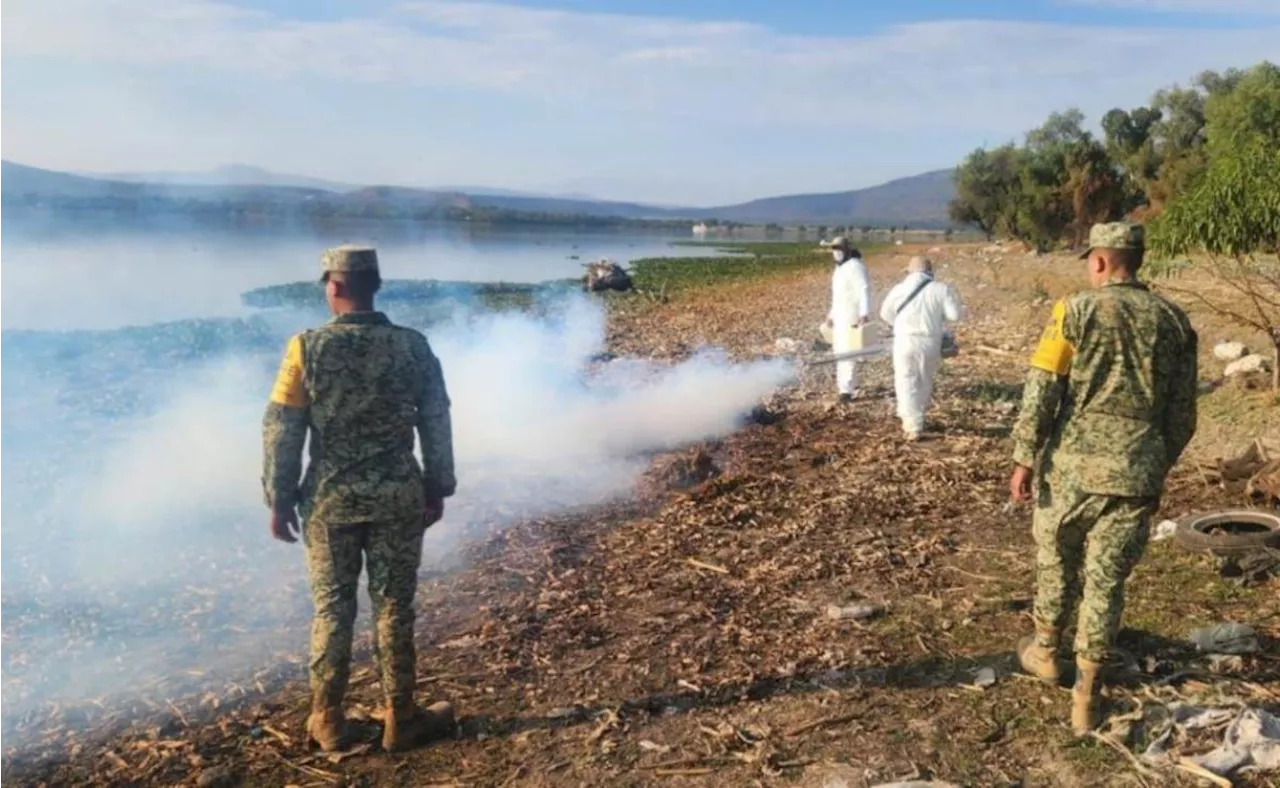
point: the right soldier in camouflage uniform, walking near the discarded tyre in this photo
(1109, 407)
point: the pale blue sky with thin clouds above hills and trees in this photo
(692, 103)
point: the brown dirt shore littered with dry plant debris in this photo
(682, 638)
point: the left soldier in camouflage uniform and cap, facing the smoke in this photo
(362, 387)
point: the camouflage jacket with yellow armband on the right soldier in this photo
(1110, 401)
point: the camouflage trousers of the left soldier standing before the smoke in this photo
(392, 553)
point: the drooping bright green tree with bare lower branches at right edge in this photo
(1235, 218)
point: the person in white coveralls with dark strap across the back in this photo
(918, 309)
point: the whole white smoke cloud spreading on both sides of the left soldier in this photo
(164, 510)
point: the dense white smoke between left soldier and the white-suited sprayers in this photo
(533, 430)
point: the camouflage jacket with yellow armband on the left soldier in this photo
(360, 386)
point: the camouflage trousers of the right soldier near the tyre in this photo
(1086, 547)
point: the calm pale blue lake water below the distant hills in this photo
(97, 274)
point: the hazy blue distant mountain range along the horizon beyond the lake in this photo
(920, 201)
